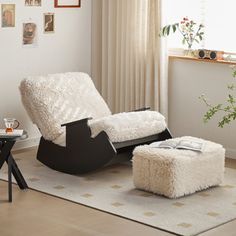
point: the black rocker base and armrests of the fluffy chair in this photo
(83, 153)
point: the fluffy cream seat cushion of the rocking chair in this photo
(125, 126)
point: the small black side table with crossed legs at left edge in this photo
(6, 144)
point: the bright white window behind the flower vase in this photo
(218, 18)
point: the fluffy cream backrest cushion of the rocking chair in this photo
(56, 99)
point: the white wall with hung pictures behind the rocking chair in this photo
(68, 49)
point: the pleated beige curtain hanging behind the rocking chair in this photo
(128, 60)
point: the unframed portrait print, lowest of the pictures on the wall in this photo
(29, 34)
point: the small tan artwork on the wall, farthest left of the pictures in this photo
(8, 15)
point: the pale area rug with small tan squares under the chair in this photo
(111, 190)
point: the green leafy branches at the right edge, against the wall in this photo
(228, 109)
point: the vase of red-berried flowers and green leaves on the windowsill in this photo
(190, 31)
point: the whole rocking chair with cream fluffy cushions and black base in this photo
(79, 133)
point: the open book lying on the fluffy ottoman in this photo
(182, 144)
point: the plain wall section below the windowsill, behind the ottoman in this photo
(187, 81)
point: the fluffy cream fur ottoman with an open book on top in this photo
(177, 172)
